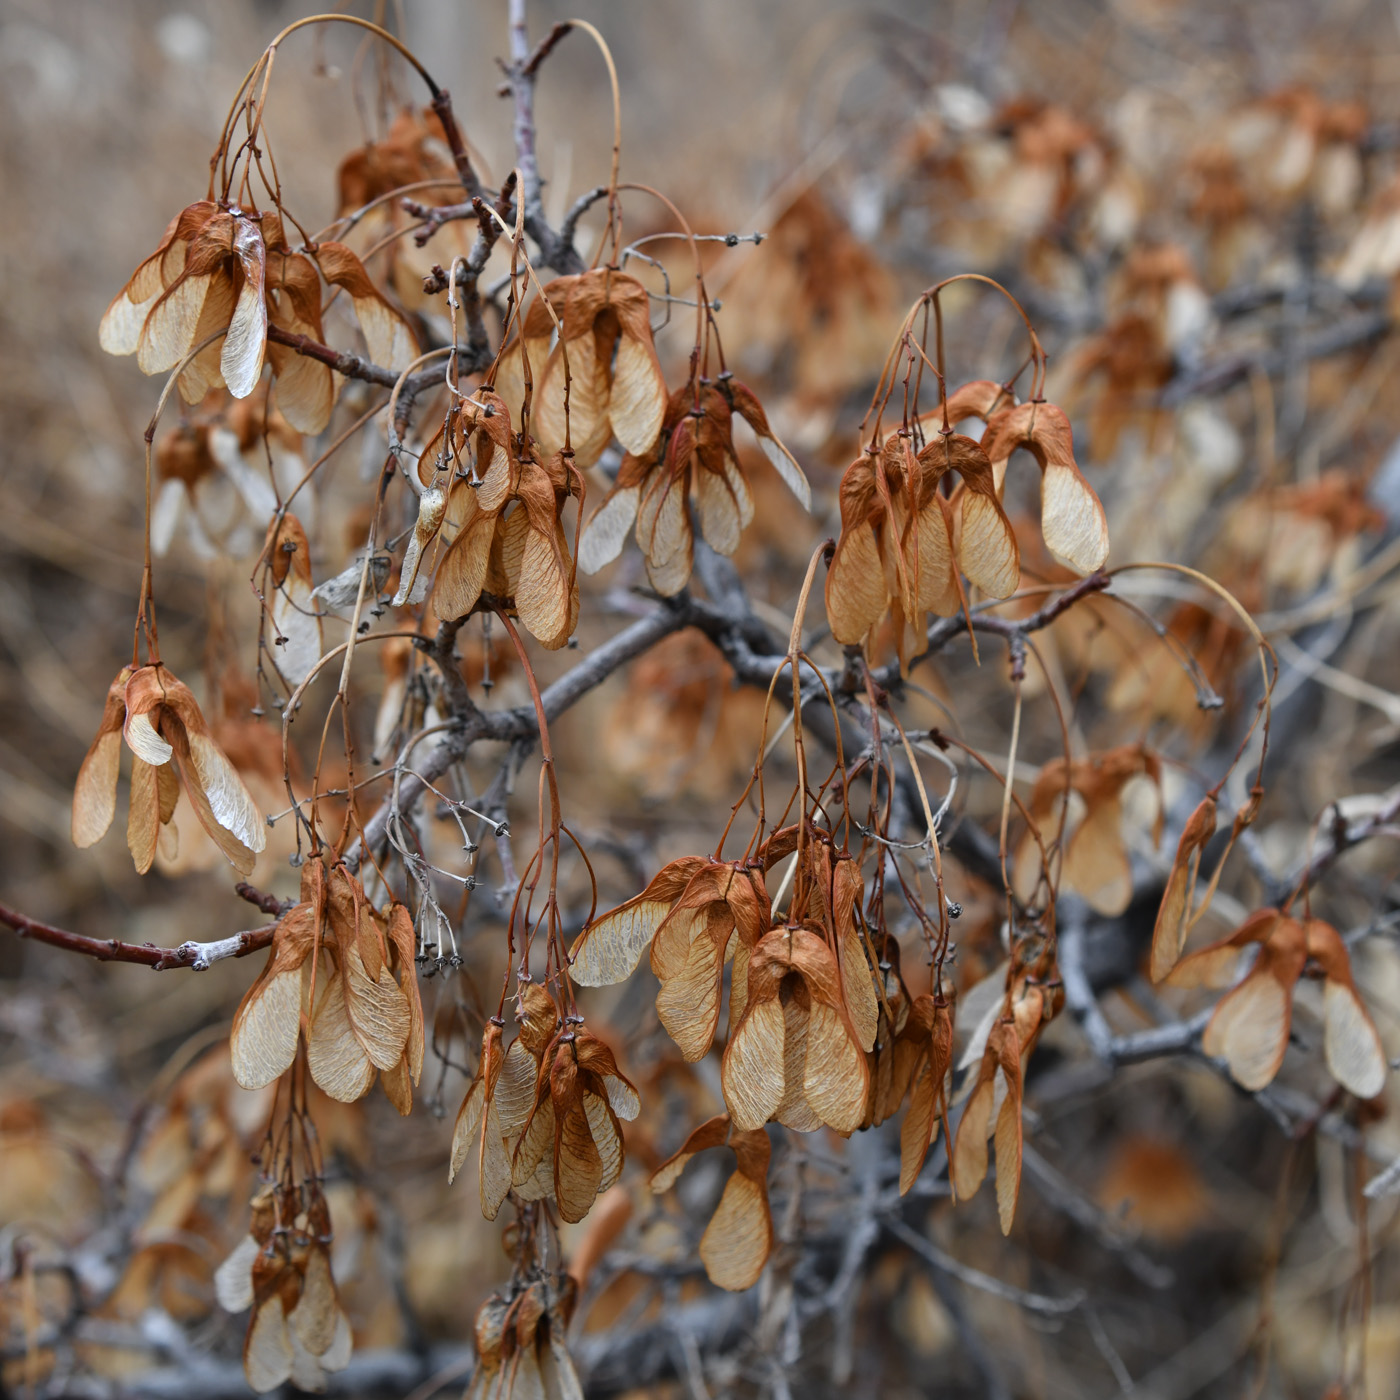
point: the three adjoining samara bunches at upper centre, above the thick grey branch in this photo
(498, 475)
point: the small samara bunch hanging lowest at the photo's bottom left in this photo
(282, 1272)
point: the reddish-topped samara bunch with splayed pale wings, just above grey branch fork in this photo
(694, 456)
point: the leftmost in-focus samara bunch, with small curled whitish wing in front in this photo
(171, 748)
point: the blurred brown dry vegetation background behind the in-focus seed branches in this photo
(1198, 206)
